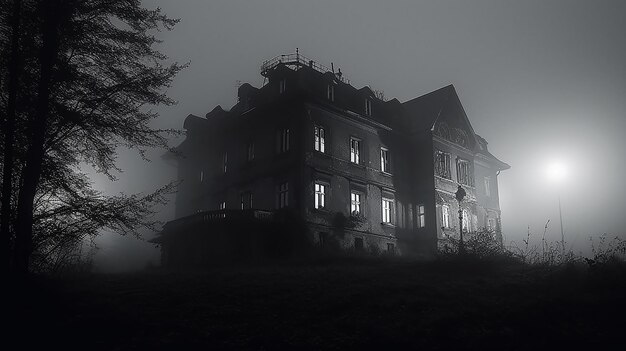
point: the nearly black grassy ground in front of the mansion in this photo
(348, 304)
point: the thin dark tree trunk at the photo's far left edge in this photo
(9, 136)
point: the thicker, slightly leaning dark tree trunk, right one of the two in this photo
(31, 173)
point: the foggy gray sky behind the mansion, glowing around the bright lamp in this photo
(540, 80)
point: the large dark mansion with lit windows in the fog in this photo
(310, 143)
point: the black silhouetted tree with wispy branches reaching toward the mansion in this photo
(90, 68)
